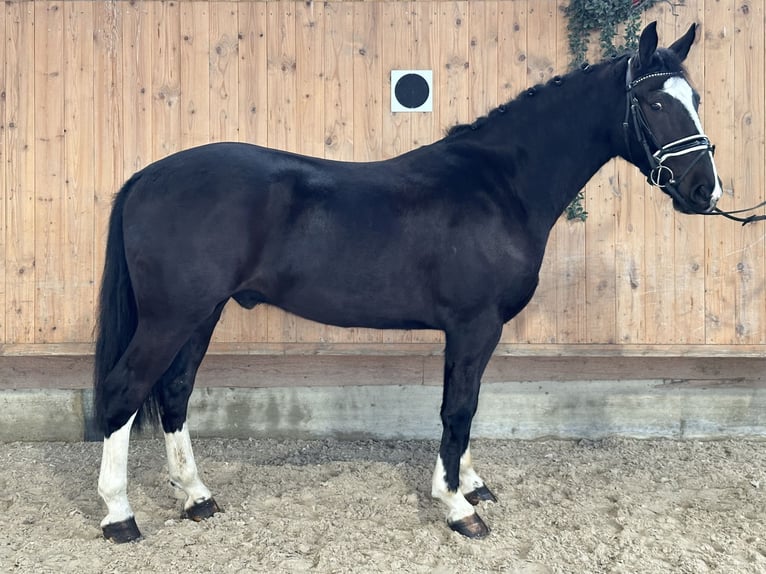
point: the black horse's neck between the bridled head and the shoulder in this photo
(557, 139)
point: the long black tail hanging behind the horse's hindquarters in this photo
(117, 317)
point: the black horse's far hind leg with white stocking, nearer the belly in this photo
(175, 388)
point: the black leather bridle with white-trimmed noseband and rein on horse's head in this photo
(661, 175)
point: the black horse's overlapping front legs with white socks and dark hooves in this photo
(455, 482)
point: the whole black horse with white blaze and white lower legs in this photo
(449, 236)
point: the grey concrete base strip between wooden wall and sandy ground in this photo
(589, 409)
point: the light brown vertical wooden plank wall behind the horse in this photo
(92, 91)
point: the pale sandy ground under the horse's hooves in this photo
(364, 506)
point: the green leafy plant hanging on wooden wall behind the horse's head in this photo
(585, 17)
